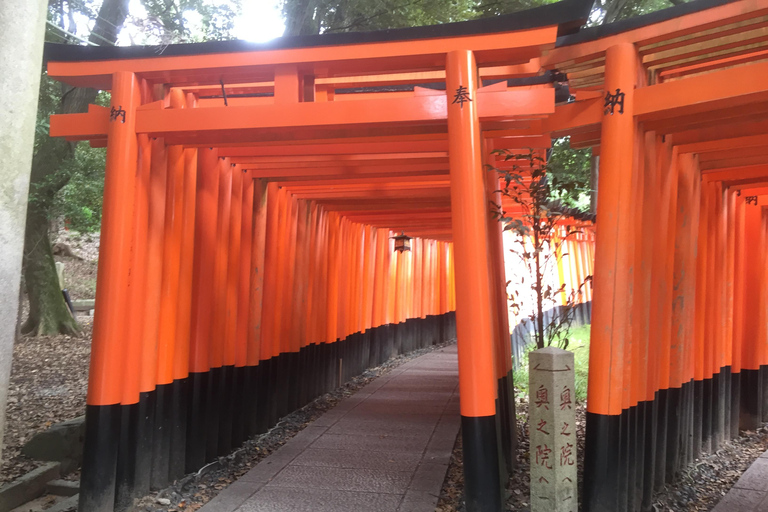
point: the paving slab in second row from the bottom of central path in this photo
(365, 480)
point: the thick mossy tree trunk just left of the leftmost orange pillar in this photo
(48, 313)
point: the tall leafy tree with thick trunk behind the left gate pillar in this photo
(67, 179)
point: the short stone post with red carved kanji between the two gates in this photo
(552, 428)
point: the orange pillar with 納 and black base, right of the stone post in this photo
(613, 266)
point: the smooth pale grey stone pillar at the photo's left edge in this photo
(22, 25)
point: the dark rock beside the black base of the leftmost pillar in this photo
(63, 442)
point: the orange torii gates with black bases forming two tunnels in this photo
(252, 191)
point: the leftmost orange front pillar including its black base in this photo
(110, 326)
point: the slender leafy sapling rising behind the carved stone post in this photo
(540, 234)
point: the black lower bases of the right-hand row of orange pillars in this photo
(634, 454)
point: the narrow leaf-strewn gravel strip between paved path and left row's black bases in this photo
(195, 490)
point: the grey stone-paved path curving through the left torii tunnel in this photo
(386, 448)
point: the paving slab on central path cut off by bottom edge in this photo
(315, 500)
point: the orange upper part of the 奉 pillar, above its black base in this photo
(474, 318)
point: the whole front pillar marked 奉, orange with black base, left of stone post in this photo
(474, 315)
